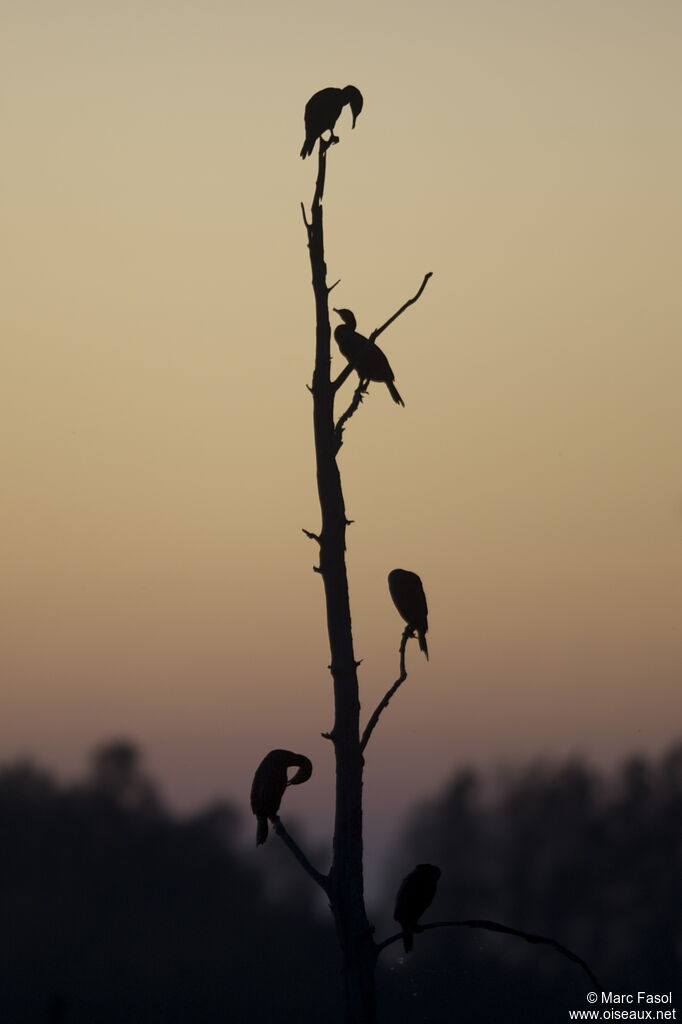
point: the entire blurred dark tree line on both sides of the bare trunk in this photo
(116, 911)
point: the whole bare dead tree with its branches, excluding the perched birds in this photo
(345, 882)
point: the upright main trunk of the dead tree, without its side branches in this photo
(347, 887)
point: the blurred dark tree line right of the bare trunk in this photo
(593, 861)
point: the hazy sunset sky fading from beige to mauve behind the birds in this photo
(158, 336)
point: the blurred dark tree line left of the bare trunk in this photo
(115, 911)
